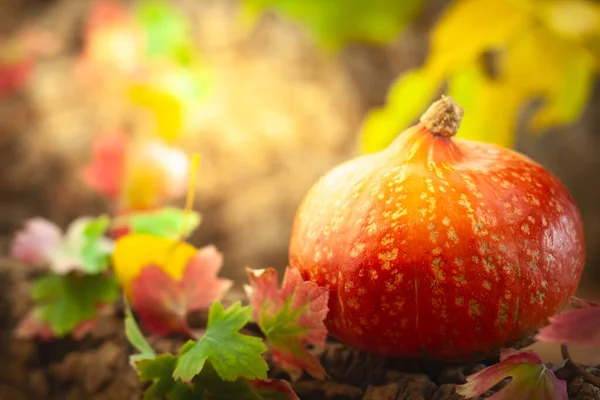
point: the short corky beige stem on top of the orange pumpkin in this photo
(443, 117)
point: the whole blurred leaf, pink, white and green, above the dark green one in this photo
(82, 248)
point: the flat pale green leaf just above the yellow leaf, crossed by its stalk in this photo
(166, 222)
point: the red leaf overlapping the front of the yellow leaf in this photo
(163, 303)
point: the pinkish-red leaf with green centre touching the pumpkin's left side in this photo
(290, 318)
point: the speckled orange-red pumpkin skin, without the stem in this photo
(439, 248)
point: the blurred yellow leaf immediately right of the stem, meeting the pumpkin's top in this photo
(491, 106)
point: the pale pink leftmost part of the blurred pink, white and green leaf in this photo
(35, 244)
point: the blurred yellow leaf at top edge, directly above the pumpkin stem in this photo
(470, 27)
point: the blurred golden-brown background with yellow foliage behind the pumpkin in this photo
(272, 94)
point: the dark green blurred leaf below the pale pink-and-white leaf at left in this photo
(64, 301)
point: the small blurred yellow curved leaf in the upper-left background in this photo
(166, 109)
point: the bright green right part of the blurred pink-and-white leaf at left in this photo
(96, 249)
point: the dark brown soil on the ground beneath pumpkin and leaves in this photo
(97, 367)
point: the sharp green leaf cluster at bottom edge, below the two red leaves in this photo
(222, 364)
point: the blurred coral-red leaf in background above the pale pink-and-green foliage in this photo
(105, 173)
